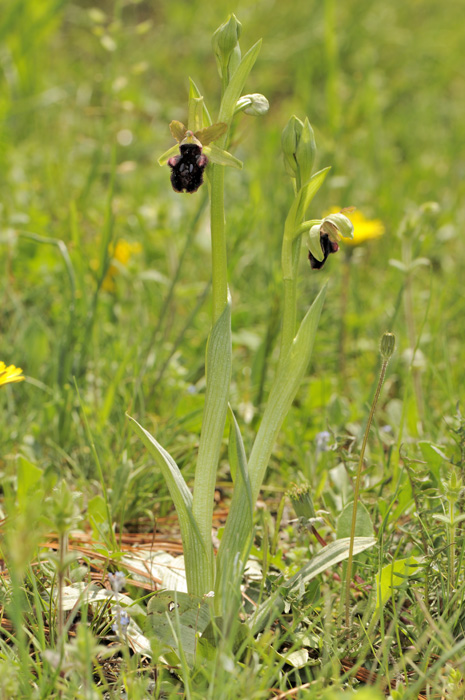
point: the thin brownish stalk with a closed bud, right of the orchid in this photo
(387, 348)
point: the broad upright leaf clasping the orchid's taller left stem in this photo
(218, 370)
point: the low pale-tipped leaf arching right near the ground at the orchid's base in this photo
(329, 556)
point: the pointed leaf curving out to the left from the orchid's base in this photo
(197, 558)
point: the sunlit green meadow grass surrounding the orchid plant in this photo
(86, 97)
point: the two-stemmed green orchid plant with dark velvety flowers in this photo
(201, 150)
